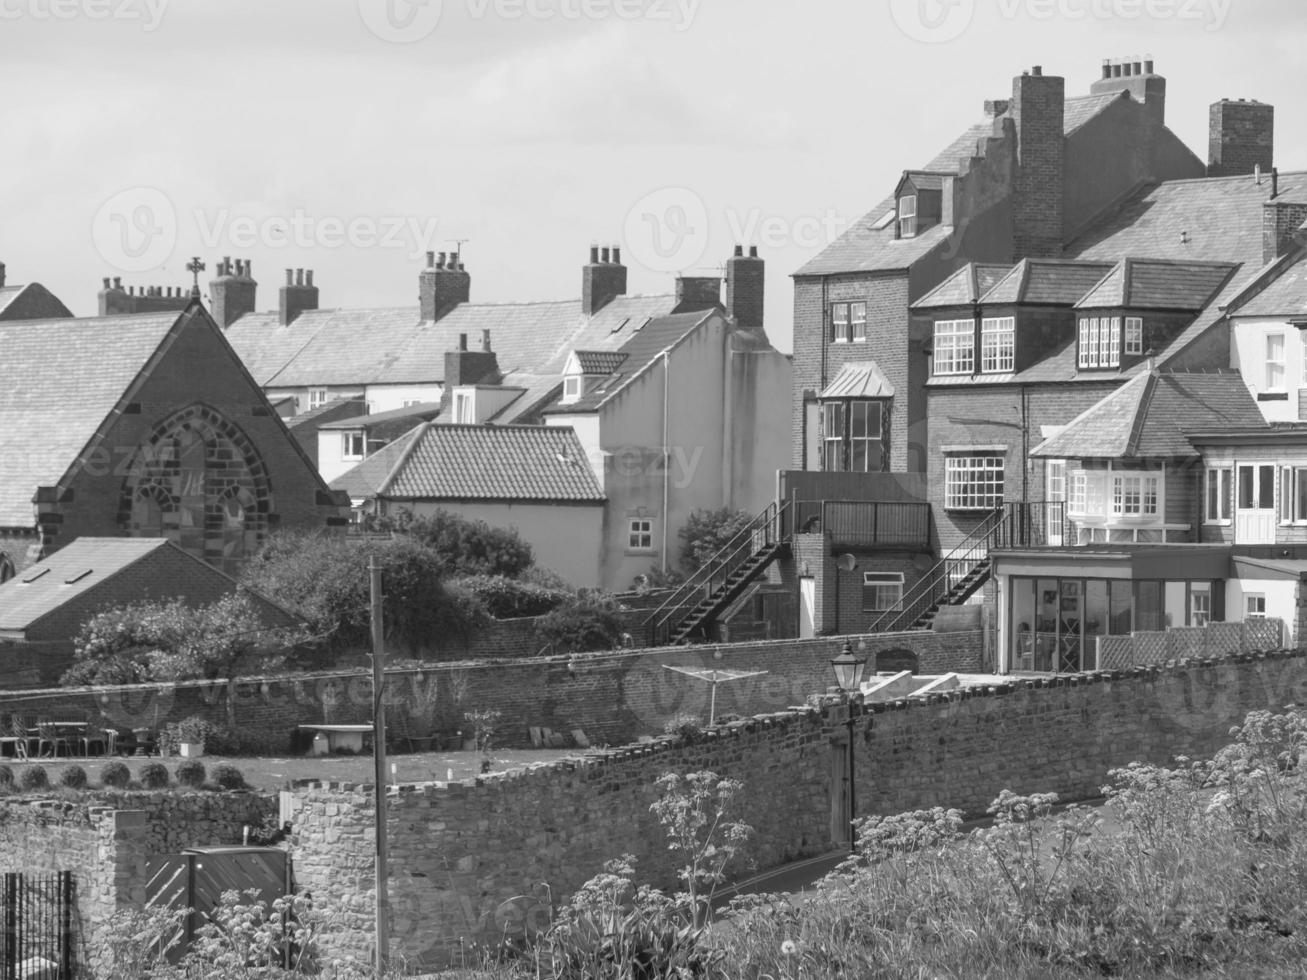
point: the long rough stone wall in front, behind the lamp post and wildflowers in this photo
(479, 862)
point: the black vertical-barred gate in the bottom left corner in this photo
(39, 914)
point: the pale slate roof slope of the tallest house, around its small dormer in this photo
(866, 249)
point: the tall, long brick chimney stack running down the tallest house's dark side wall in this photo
(1037, 207)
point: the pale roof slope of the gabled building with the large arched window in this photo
(59, 381)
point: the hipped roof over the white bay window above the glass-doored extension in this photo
(1148, 417)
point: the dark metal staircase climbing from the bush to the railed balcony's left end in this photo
(688, 612)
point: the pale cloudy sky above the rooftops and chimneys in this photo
(352, 137)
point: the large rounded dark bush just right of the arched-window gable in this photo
(325, 578)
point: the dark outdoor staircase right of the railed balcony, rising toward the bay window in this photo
(967, 569)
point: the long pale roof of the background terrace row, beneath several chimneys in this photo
(394, 347)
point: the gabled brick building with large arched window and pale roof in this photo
(160, 433)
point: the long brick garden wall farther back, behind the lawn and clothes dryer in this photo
(614, 698)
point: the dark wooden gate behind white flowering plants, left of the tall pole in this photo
(198, 877)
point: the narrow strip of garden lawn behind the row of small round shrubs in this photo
(275, 773)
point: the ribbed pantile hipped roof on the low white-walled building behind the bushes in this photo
(479, 463)
